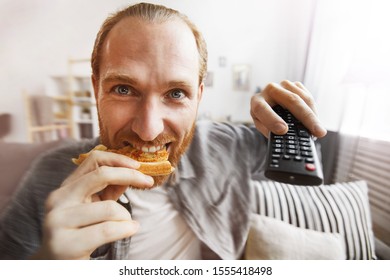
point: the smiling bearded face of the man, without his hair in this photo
(147, 92)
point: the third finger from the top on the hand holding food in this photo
(88, 214)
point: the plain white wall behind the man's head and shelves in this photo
(39, 36)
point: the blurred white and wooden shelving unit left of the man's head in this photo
(74, 112)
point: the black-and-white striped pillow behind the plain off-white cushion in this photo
(340, 208)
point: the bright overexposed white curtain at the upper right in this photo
(348, 66)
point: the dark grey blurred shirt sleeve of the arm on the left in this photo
(21, 221)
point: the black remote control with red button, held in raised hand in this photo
(292, 158)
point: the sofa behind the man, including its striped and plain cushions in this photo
(332, 221)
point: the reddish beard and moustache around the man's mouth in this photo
(176, 147)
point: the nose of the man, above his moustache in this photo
(149, 121)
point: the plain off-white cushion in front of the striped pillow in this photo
(273, 239)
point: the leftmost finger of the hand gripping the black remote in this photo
(265, 118)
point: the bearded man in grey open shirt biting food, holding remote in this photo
(148, 67)
